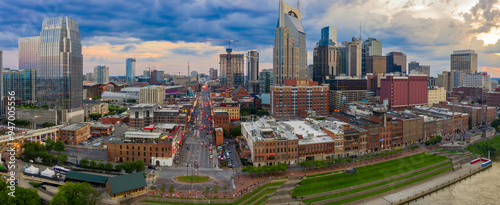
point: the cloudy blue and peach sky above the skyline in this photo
(166, 34)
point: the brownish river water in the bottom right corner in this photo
(481, 188)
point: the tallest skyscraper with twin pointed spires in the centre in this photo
(289, 53)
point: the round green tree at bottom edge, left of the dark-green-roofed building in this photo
(76, 194)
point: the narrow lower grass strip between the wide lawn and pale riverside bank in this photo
(375, 185)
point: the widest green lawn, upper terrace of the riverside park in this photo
(365, 174)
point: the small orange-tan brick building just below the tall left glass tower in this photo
(74, 134)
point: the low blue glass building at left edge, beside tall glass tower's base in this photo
(22, 82)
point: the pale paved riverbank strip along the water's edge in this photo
(408, 194)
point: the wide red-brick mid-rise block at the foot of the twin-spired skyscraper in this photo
(288, 99)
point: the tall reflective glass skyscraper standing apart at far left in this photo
(60, 65)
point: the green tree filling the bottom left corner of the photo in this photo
(22, 195)
